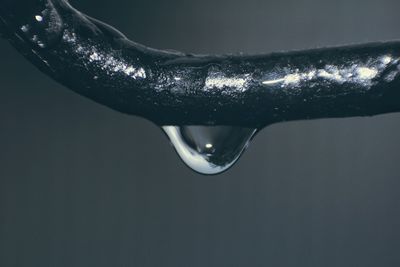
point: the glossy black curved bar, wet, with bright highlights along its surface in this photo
(97, 61)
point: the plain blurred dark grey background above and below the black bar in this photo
(82, 185)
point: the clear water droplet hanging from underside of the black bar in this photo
(209, 149)
